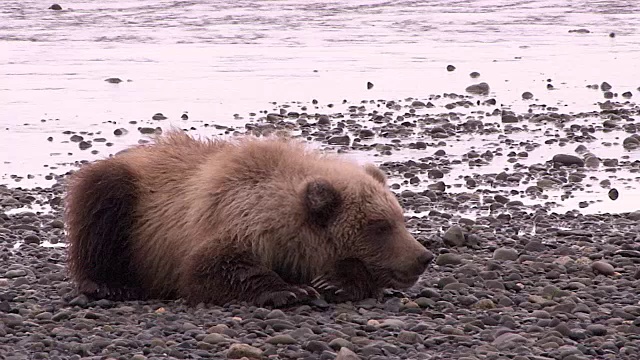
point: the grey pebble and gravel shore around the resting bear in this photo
(515, 280)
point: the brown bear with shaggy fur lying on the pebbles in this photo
(265, 221)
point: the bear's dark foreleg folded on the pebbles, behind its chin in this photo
(211, 277)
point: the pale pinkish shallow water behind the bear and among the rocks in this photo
(219, 58)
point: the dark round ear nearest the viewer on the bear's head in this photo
(322, 201)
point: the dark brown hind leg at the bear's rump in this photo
(100, 210)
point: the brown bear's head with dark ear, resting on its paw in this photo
(364, 222)
